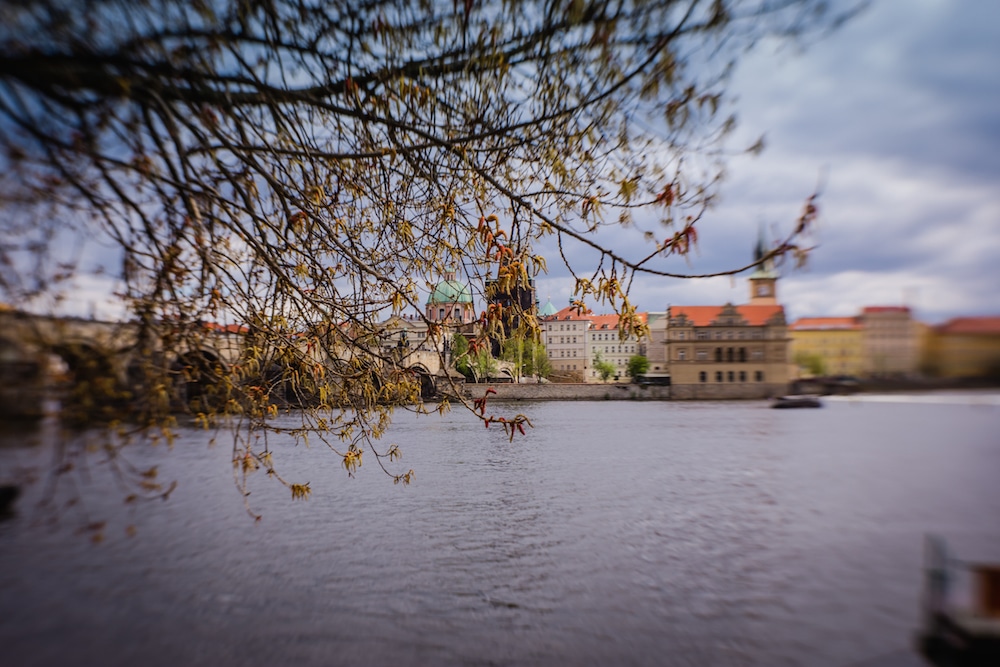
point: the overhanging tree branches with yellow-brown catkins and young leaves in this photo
(302, 169)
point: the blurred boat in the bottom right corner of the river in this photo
(957, 633)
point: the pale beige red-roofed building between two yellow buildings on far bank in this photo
(891, 340)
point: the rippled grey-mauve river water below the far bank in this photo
(616, 533)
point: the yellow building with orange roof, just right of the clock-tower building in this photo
(828, 346)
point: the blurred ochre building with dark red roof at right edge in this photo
(965, 347)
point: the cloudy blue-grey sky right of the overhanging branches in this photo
(901, 109)
